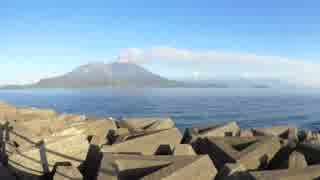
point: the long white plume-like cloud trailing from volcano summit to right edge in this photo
(292, 70)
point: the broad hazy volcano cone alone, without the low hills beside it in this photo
(101, 74)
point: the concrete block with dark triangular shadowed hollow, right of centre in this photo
(252, 152)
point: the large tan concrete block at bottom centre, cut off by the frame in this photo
(119, 166)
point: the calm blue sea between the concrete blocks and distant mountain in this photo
(249, 107)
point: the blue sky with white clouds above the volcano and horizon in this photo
(177, 39)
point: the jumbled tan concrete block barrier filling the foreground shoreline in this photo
(42, 144)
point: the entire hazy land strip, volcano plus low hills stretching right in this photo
(97, 75)
